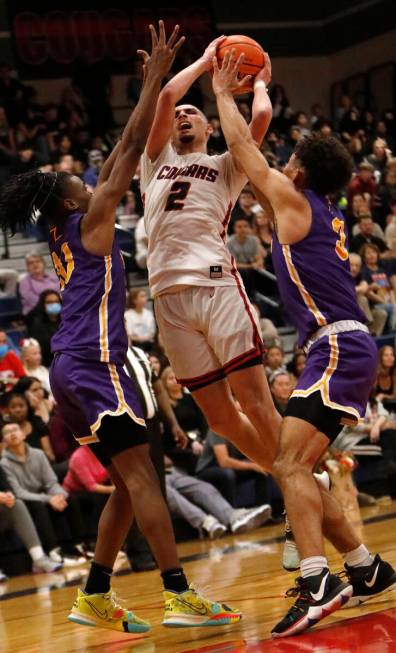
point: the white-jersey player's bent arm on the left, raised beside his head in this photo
(170, 95)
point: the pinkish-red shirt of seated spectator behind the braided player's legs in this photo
(85, 471)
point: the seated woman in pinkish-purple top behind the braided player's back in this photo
(35, 281)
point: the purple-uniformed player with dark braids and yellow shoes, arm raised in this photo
(97, 398)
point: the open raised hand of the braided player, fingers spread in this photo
(159, 62)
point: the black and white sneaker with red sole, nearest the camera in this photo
(318, 596)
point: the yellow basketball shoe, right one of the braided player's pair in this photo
(186, 609)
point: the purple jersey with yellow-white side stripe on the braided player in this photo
(93, 291)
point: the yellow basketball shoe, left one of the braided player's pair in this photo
(104, 611)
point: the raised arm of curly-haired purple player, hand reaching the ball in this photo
(271, 185)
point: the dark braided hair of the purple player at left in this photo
(26, 196)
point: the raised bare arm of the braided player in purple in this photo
(97, 226)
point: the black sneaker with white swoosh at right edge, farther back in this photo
(370, 581)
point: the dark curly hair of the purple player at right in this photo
(327, 163)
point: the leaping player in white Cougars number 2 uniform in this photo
(208, 326)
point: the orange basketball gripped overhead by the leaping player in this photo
(254, 56)
